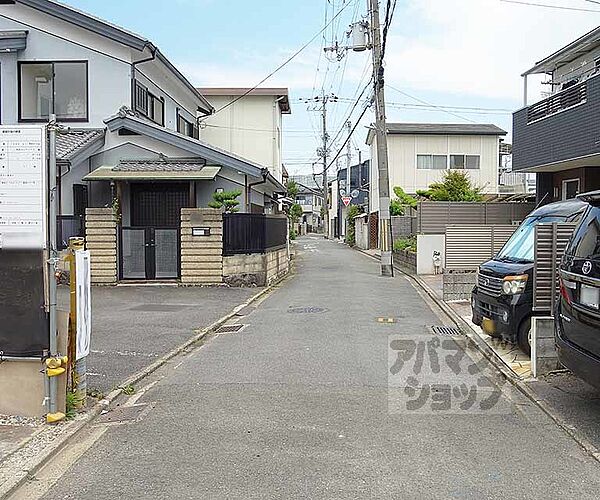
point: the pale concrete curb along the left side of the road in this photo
(73, 428)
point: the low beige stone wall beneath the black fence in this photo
(256, 269)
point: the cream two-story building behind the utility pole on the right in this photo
(420, 153)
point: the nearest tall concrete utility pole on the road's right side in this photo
(385, 233)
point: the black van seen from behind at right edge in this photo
(577, 318)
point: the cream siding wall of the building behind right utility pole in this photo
(402, 157)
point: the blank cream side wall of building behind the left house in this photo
(251, 128)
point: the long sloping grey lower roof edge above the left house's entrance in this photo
(126, 120)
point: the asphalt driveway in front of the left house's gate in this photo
(135, 325)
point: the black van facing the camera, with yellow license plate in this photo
(502, 300)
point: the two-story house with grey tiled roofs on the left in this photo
(130, 119)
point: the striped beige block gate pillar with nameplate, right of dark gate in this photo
(201, 256)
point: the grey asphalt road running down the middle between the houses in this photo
(316, 398)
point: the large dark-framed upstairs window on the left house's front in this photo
(53, 87)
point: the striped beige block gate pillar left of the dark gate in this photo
(101, 241)
